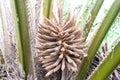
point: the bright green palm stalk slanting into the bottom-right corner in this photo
(104, 70)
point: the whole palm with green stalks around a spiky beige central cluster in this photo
(24, 31)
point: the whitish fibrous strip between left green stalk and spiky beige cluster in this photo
(34, 14)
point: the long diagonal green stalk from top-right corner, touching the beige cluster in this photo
(110, 17)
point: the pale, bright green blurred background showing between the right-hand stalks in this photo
(113, 33)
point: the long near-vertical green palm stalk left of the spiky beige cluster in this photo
(24, 37)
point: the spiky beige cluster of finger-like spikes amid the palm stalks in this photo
(61, 45)
